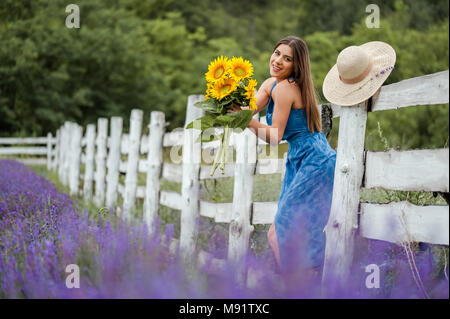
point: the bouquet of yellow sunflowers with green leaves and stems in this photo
(229, 83)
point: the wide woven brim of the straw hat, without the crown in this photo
(338, 92)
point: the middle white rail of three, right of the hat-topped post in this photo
(412, 170)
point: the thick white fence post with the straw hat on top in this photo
(342, 223)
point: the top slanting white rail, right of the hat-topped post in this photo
(422, 90)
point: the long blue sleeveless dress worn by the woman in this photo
(306, 192)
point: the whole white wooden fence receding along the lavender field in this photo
(100, 151)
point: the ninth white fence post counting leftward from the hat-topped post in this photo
(75, 155)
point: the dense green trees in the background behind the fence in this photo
(153, 54)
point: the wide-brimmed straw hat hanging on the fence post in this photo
(358, 73)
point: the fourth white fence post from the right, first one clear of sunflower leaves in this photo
(154, 166)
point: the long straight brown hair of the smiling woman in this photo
(302, 76)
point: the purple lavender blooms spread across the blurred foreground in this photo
(41, 233)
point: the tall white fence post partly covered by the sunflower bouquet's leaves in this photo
(190, 186)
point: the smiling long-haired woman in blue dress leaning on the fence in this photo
(296, 235)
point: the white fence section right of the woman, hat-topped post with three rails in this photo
(411, 170)
